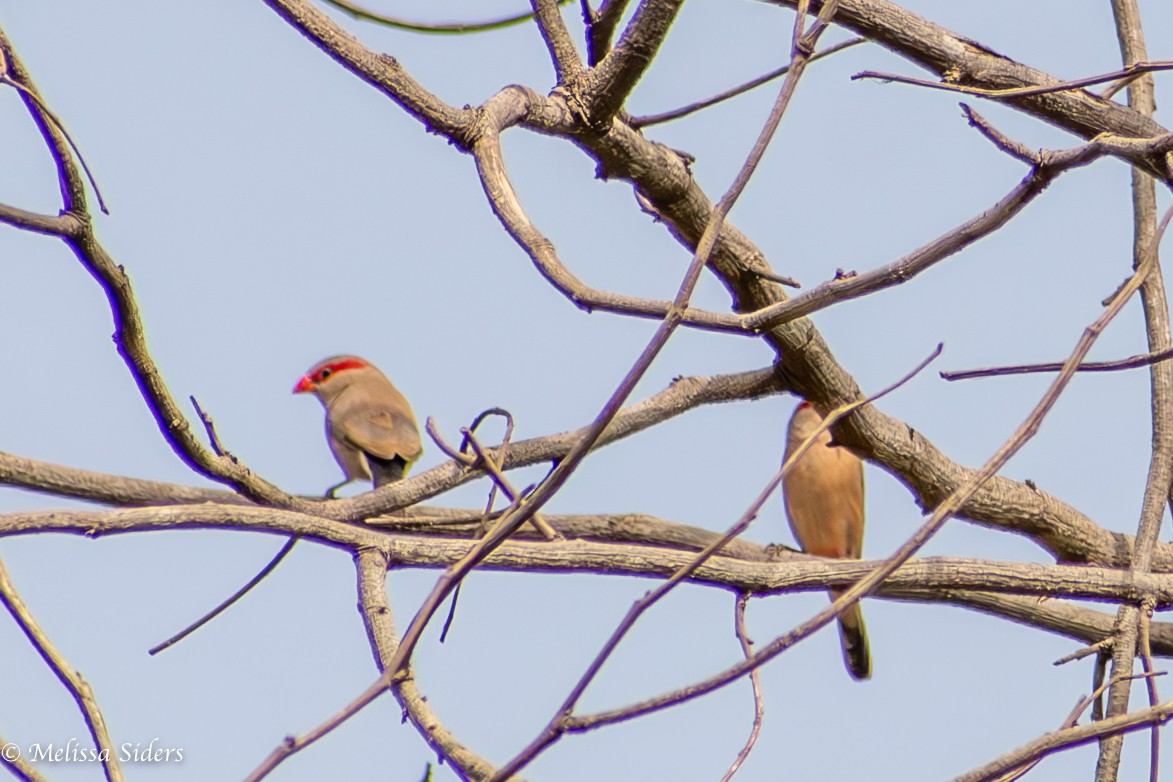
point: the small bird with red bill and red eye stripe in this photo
(370, 426)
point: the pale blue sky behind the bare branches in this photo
(272, 210)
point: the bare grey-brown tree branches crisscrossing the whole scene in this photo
(587, 110)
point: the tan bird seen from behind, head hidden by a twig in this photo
(824, 498)
